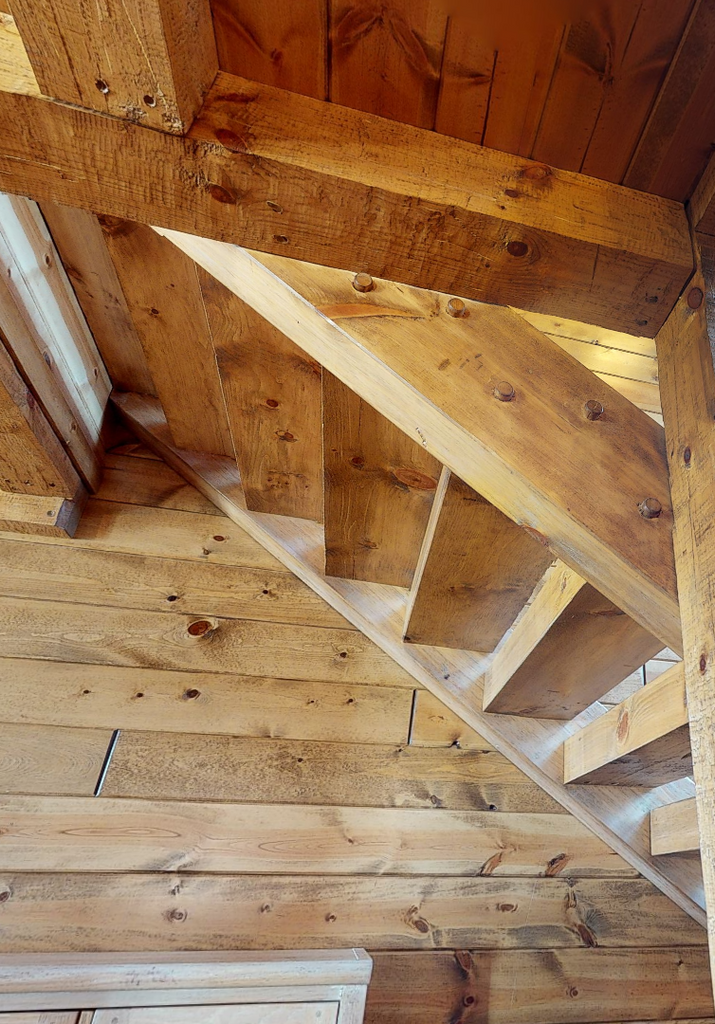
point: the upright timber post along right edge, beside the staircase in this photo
(688, 391)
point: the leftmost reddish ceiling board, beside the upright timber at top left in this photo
(283, 44)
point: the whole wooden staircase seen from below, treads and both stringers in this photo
(370, 349)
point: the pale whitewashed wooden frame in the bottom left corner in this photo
(286, 988)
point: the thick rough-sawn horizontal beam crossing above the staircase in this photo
(283, 174)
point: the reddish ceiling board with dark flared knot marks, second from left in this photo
(387, 60)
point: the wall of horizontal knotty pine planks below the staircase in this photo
(315, 800)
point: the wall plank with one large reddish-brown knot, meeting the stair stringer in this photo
(63, 632)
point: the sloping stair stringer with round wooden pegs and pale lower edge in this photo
(578, 484)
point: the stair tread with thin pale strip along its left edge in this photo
(476, 573)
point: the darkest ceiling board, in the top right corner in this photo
(677, 143)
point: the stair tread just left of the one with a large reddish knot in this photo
(274, 404)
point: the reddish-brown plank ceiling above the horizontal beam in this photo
(622, 91)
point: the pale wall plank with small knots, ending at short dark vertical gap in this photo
(156, 700)
